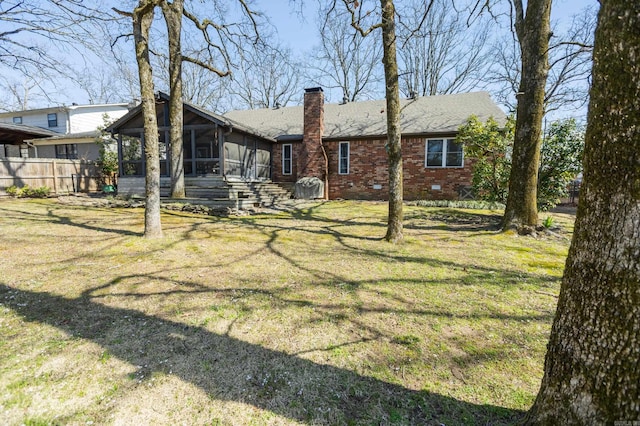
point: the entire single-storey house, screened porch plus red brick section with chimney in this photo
(343, 144)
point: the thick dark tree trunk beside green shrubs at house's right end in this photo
(533, 31)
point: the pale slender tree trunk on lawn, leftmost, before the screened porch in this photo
(142, 19)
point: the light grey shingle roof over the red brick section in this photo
(423, 115)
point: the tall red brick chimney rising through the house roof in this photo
(312, 159)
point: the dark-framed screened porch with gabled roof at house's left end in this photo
(214, 147)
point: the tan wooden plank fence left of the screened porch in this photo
(61, 176)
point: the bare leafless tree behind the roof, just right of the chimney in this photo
(344, 60)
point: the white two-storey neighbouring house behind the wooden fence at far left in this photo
(76, 123)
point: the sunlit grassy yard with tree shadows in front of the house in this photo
(296, 317)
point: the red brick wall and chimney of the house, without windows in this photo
(368, 177)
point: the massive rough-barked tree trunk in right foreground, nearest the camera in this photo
(592, 368)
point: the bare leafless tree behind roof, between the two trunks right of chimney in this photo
(446, 54)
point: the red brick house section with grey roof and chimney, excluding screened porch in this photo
(344, 144)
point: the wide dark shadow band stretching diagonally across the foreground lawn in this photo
(230, 369)
